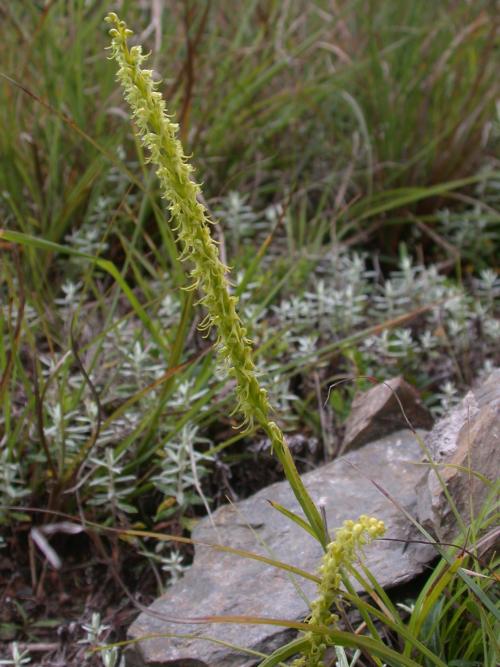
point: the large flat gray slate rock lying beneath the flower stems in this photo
(224, 584)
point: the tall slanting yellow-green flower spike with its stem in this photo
(159, 135)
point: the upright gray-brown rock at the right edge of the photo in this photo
(468, 439)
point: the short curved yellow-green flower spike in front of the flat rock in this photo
(341, 552)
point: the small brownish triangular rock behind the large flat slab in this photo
(377, 412)
